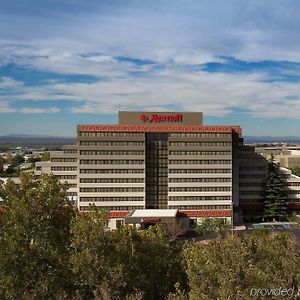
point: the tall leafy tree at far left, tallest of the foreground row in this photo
(34, 239)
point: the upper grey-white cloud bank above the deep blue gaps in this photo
(193, 31)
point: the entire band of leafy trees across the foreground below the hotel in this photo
(48, 251)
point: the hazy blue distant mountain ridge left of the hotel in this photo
(23, 140)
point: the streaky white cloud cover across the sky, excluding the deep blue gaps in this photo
(175, 35)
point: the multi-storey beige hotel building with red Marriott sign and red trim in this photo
(160, 161)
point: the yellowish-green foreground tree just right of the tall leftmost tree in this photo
(95, 258)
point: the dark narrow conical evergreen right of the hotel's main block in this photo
(275, 194)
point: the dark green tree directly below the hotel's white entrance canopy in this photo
(157, 264)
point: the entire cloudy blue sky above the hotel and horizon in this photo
(68, 62)
